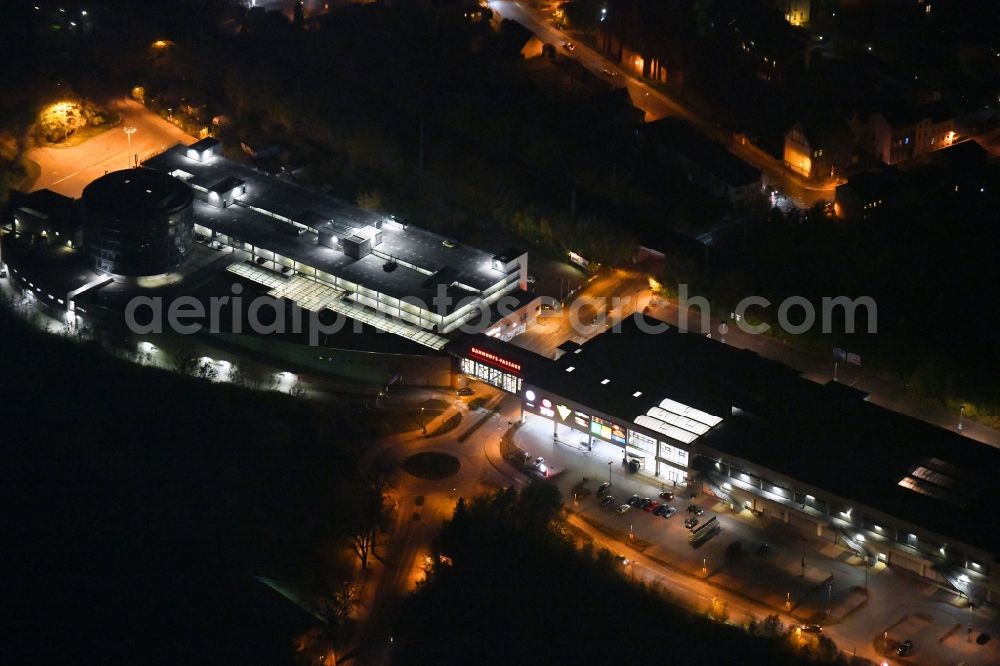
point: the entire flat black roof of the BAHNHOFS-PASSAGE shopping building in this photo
(824, 435)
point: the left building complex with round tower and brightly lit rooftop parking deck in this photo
(190, 215)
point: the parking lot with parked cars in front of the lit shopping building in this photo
(799, 575)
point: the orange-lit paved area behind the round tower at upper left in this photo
(68, 170)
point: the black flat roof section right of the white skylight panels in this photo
(861, 452)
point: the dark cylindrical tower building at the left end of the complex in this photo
(138, 222)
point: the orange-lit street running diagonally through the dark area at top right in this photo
(656, 104)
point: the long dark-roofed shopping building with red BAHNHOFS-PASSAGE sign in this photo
(693, 412)
